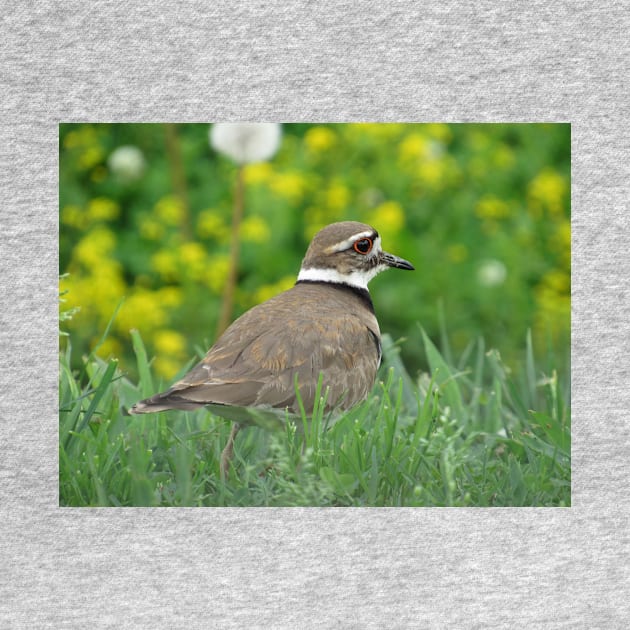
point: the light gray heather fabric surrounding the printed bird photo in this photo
(305, 61)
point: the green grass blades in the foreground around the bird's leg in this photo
(467, 434)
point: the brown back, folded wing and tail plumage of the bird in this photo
(256, 360)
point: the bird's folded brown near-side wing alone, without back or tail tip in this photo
(260, 371)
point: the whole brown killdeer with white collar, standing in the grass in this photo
(324, 325)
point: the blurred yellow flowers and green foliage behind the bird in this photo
(482, 211)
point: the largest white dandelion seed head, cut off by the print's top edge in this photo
(246, 142)
